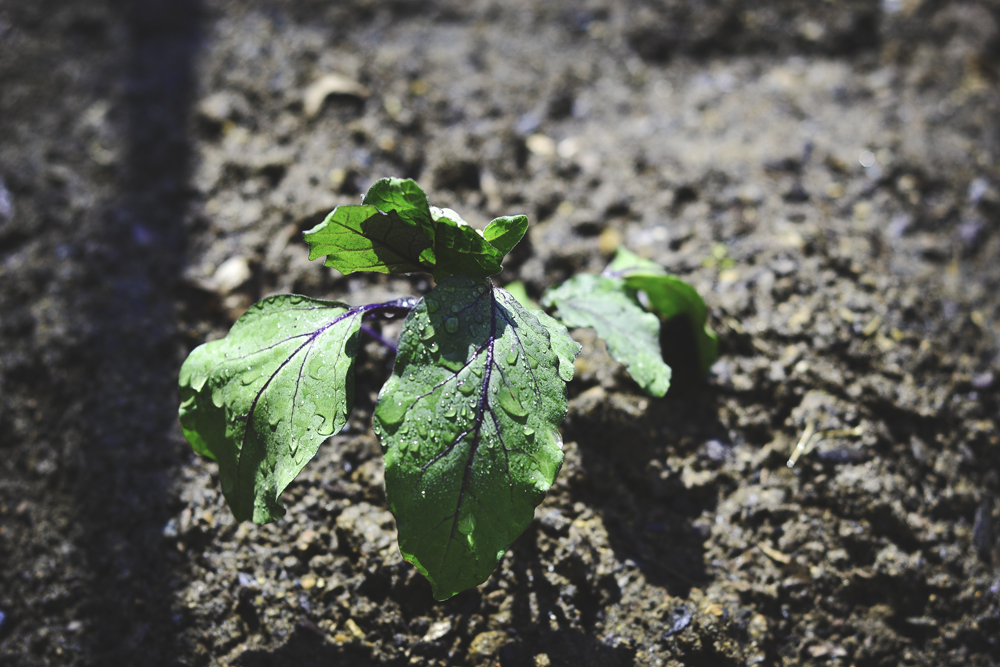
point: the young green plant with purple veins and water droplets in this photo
(469, 419)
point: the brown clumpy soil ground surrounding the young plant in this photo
(827, 174)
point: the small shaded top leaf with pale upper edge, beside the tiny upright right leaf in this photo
(461, 249)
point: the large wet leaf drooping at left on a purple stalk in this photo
(261, 400)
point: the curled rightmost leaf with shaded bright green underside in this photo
(669, 296)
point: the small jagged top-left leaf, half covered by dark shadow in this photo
(362, 238)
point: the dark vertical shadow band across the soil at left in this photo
(122, 491)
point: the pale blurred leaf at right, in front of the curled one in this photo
(631, 334)
